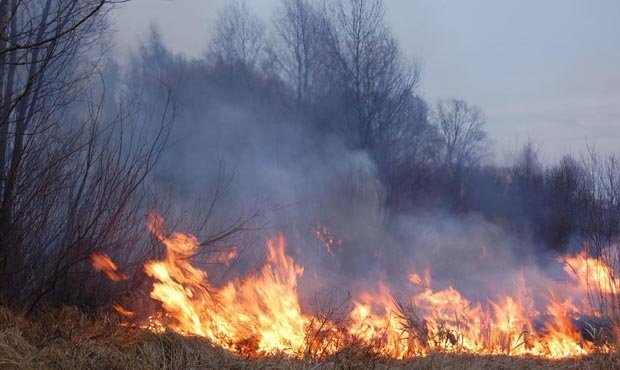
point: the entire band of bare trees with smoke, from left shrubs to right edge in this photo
(322, 91)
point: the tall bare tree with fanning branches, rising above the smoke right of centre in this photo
(365, 64)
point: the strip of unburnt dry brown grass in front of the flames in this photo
(68, 339)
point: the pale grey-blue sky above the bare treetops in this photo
(545, 71)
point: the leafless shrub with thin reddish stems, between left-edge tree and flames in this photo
(98, 201)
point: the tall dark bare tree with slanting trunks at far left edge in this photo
(40, 42)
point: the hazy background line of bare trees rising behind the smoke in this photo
(336, 70)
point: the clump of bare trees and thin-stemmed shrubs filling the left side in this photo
(72, 176)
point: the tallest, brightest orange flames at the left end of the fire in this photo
(260, 313)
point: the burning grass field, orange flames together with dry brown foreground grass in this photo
(259, 320)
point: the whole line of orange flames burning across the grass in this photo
(262, 313)
